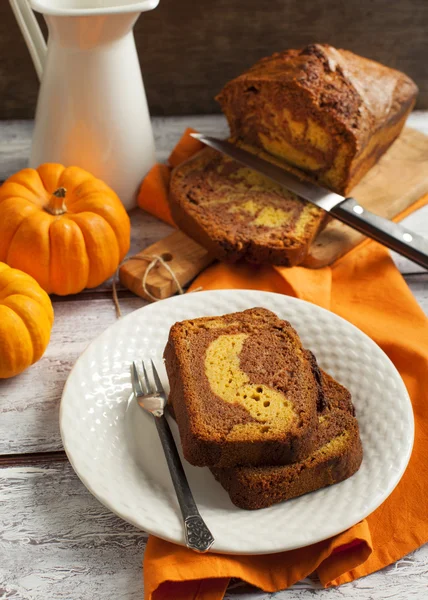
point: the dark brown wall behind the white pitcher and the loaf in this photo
(189, 48)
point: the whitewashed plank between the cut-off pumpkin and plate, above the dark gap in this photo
(29, 403)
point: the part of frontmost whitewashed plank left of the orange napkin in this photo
(57, 541)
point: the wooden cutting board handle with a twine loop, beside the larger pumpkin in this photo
(185, 257)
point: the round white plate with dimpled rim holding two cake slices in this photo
(114, 449)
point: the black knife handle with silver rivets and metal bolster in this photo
(390, 234)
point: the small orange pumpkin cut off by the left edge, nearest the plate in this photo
(26, 317)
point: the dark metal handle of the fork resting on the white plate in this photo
(198, 536)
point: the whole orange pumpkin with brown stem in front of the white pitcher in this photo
(63, 227)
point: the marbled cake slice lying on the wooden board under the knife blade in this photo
(235, 213)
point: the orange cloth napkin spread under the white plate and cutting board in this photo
(365, 288)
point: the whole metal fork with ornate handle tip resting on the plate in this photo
(152, 398)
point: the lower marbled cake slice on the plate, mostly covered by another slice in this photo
(337, 456)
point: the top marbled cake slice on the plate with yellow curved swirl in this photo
(243, 390)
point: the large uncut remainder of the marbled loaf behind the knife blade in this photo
(328, 112)
